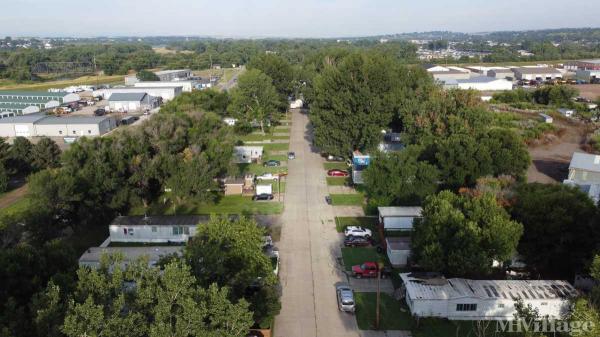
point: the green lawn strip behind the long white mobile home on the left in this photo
(230, 204)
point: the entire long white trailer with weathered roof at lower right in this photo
(464, 299)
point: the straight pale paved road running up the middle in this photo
(309, 248)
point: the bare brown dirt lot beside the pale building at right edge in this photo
(550, 162)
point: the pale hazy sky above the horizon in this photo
(284, 18)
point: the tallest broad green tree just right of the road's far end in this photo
(353, 101)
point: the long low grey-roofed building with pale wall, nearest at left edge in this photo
(50, 126)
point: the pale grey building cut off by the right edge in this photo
(584, 173)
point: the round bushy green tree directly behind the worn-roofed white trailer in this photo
(462, 235)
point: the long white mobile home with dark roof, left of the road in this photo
(154, 229)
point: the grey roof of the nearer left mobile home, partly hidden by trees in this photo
(92, 256)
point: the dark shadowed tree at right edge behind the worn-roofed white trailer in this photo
(558, 220)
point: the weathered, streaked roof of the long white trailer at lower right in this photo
(445, 289)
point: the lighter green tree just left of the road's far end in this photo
(254, 98)
